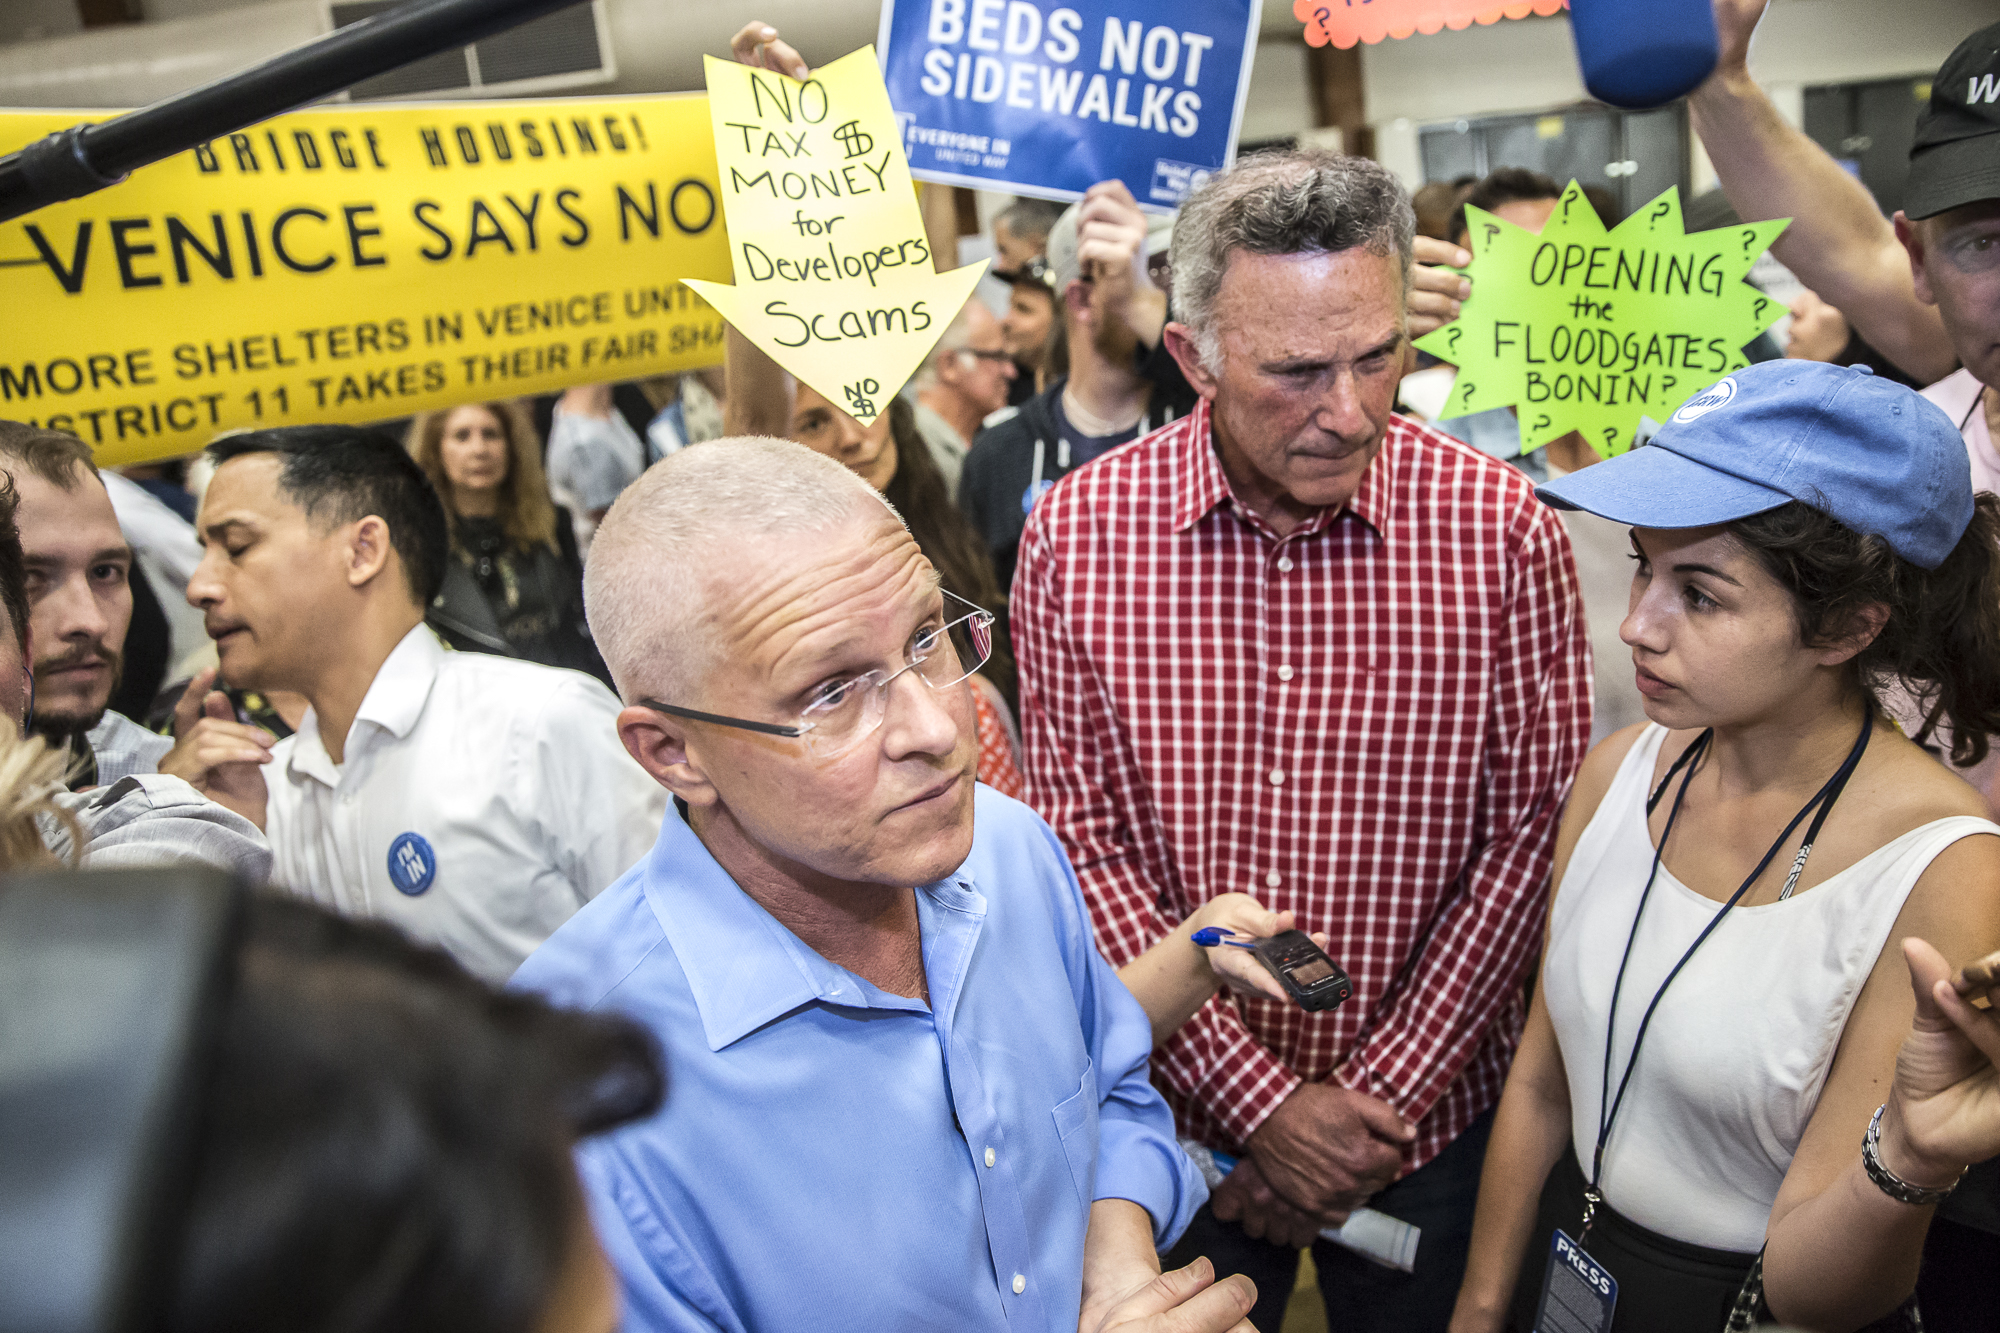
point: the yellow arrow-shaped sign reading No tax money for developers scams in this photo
(833, 271)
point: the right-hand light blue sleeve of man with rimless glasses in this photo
(1139, 1156)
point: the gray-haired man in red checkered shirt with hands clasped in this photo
(1301, 647)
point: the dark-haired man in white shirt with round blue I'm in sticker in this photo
(475, 802)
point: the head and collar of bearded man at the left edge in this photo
(81, 605)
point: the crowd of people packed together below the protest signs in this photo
(739, 868)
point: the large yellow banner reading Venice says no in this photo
(361, 263)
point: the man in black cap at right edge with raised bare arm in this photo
(1925, 289)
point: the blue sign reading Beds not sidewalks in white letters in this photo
(1041, 97)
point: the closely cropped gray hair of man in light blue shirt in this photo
(681, 529)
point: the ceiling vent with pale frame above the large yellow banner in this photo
(569, 49)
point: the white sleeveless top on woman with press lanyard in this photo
(1741, 1046)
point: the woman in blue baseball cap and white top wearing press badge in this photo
(1691, 1134)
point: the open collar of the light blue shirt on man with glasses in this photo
(747, 970)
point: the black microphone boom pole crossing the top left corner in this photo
(91, 157)
